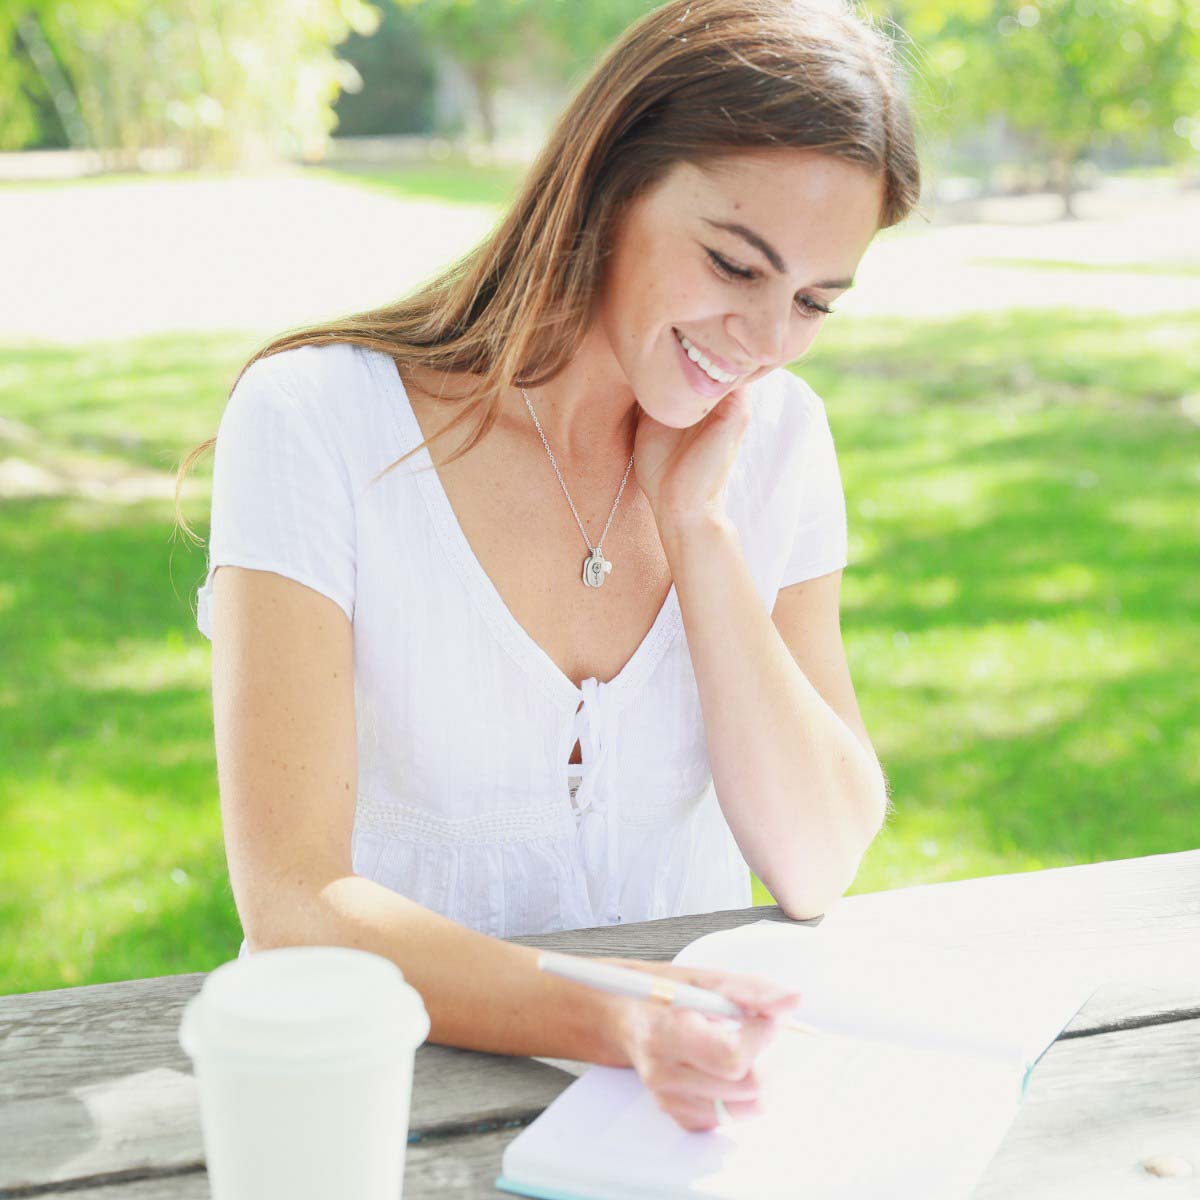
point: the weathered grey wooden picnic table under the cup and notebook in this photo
(98, 1099)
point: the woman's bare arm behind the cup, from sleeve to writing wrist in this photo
(287, 765)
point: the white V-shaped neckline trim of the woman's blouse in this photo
(559, 687)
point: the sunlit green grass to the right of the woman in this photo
(1023, 607)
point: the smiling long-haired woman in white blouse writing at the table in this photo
(502, 693)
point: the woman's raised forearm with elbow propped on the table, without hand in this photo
(803, 794)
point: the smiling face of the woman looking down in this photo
(751, 301)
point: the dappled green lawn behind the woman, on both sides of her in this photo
(1021, 614)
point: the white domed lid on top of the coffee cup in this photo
(305, 1004)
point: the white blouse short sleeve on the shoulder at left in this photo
(283, 500)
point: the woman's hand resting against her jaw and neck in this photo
(683, 472)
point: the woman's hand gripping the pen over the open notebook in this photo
(687, 1059)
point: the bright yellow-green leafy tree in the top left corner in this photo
(249, 77)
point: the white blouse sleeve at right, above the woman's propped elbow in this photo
(820, 536)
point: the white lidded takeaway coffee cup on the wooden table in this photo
(304, 1061)
